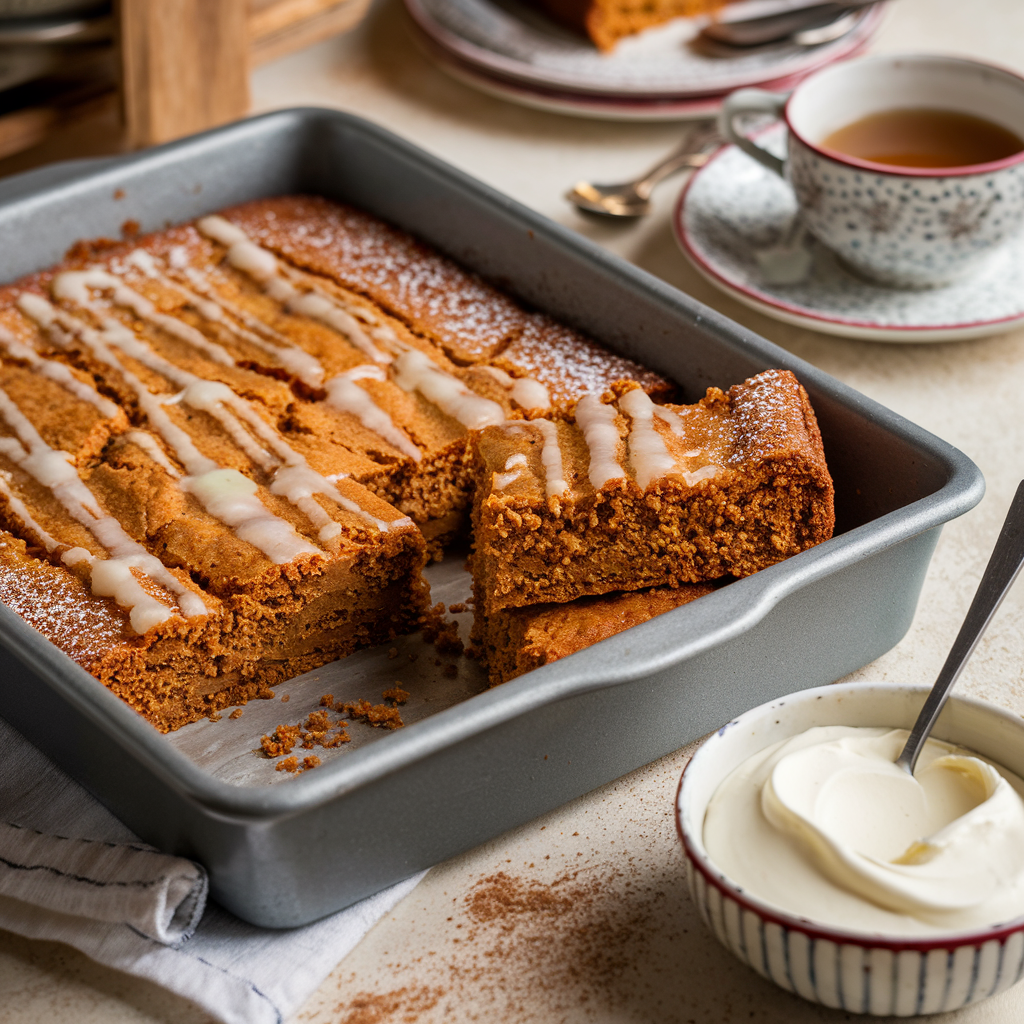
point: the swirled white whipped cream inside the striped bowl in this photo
(827, 827)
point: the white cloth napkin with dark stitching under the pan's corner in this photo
(72, 873)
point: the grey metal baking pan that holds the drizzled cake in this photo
(465, 771)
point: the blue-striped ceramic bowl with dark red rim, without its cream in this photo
(854, 971)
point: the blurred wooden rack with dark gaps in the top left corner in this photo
(145, 72)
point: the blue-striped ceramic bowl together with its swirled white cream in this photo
(830, 871)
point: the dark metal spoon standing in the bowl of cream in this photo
(1003, 570)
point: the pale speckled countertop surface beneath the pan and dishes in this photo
(582, 916)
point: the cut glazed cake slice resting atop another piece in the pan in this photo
(631, 495)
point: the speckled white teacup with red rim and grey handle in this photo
(903, 227)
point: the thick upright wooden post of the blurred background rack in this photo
(185, 66)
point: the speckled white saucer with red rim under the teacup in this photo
(734, 215)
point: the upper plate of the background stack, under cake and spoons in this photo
(509, 39)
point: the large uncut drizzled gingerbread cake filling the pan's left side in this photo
(227, 448)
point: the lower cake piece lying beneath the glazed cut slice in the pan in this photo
(519, 641)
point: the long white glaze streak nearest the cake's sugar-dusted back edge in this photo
(264, 268)
